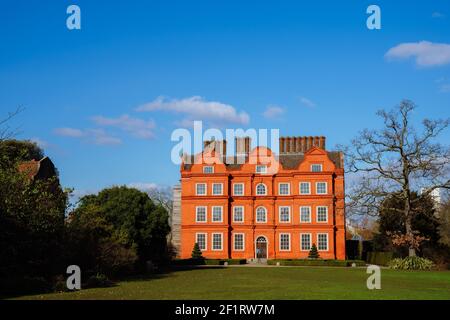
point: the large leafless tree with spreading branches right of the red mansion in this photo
(395, 161)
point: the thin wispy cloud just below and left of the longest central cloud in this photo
(136, 127)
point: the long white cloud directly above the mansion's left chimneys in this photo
(197, 108)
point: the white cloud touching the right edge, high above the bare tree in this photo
(426, 54)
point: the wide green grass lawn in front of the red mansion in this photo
(272, 283)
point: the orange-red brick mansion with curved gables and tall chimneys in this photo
(300, 201)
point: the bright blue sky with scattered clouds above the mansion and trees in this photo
(307, 68)
